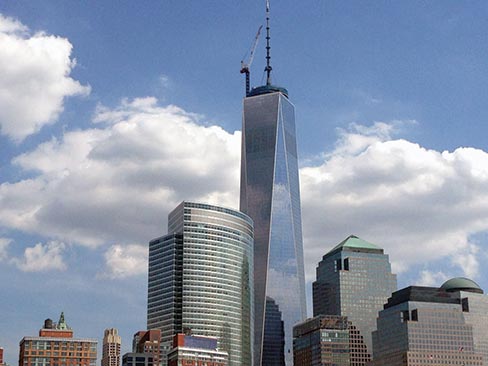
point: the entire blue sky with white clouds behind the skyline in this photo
(113, 113)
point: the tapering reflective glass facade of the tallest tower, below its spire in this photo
(270, 196)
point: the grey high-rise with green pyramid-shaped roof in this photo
(354, 279)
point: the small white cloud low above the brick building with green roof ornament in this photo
(42, 257)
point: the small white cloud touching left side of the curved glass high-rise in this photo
(123, 261)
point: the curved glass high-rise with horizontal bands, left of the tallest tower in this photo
(200, 278)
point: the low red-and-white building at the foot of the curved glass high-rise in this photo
(189, 350)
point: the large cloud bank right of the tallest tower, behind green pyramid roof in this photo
(421, 205)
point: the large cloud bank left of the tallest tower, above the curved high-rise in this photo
(116, 183)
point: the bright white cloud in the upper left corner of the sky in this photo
(34, 78)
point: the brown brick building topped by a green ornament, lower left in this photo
(56, 346)
